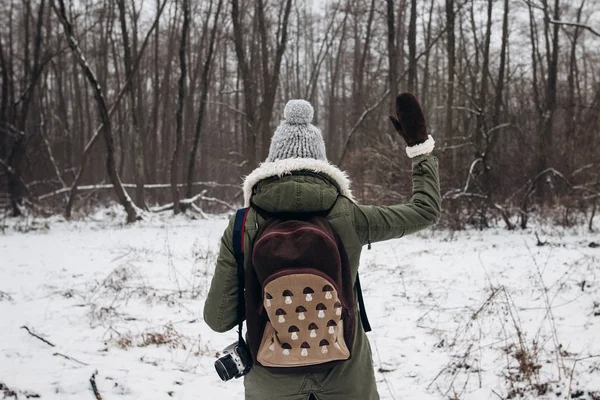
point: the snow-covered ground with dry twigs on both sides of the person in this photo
(465, 315)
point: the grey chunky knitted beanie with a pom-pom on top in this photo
(296, 137)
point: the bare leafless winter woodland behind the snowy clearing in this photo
(166, 104)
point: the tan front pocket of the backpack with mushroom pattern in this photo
(306, 326)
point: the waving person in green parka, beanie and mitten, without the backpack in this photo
(297, 177)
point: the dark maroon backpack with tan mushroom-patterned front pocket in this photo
(298, 293)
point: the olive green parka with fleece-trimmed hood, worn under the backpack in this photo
(303, 185)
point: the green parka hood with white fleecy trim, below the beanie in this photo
(296, 185)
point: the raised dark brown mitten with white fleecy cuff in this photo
(410, 124)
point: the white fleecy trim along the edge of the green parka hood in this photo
(284, 167)
